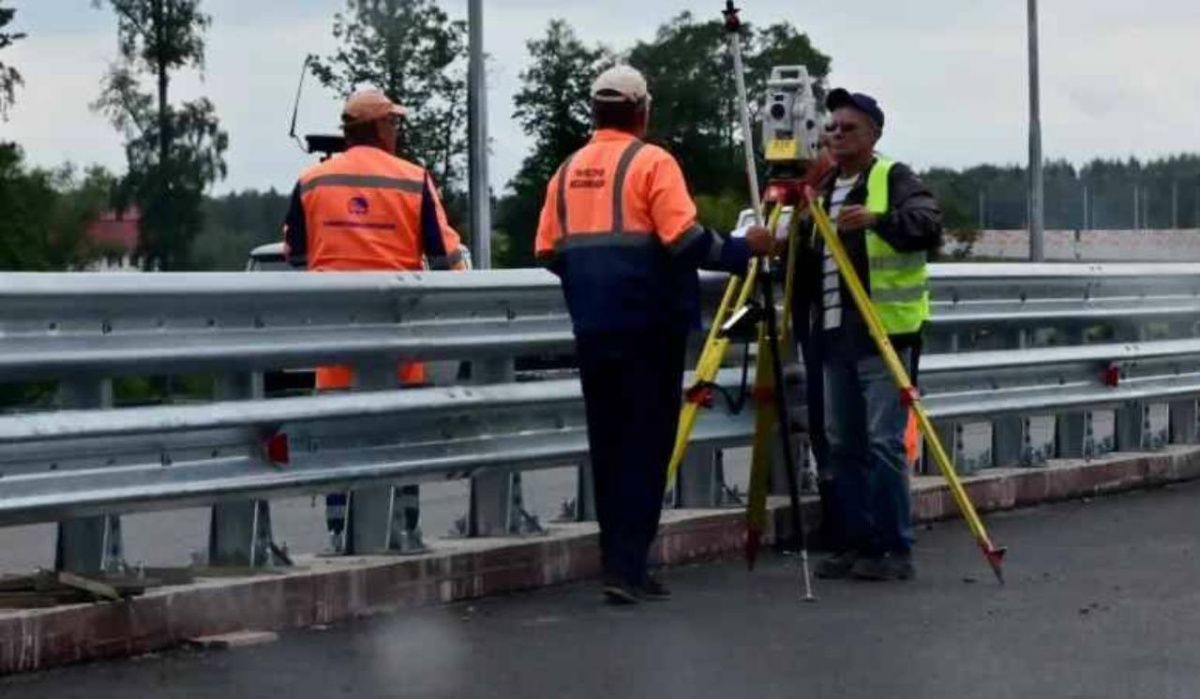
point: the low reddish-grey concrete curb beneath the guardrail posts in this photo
(326, 592)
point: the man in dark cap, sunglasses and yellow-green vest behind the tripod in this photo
(890, 224)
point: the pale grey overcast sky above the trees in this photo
(1119, 79)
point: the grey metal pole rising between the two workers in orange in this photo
(477, 98)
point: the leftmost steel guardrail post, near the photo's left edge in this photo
(92, 545)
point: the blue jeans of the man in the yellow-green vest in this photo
(866, 425)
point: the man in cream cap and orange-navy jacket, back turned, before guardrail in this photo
(620, 229)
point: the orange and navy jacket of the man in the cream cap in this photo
(620, 228)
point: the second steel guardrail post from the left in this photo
(241, 533)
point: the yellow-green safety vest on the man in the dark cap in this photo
(899, 280)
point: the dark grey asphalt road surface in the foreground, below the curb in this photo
(1103, 600)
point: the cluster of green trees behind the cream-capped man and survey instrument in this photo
(694, 112)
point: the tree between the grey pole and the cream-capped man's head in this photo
(554, 109)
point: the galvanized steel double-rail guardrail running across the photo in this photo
(1024, 362)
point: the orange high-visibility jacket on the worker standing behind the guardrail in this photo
(363, 211)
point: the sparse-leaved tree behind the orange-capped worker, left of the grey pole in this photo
(413, 52)
